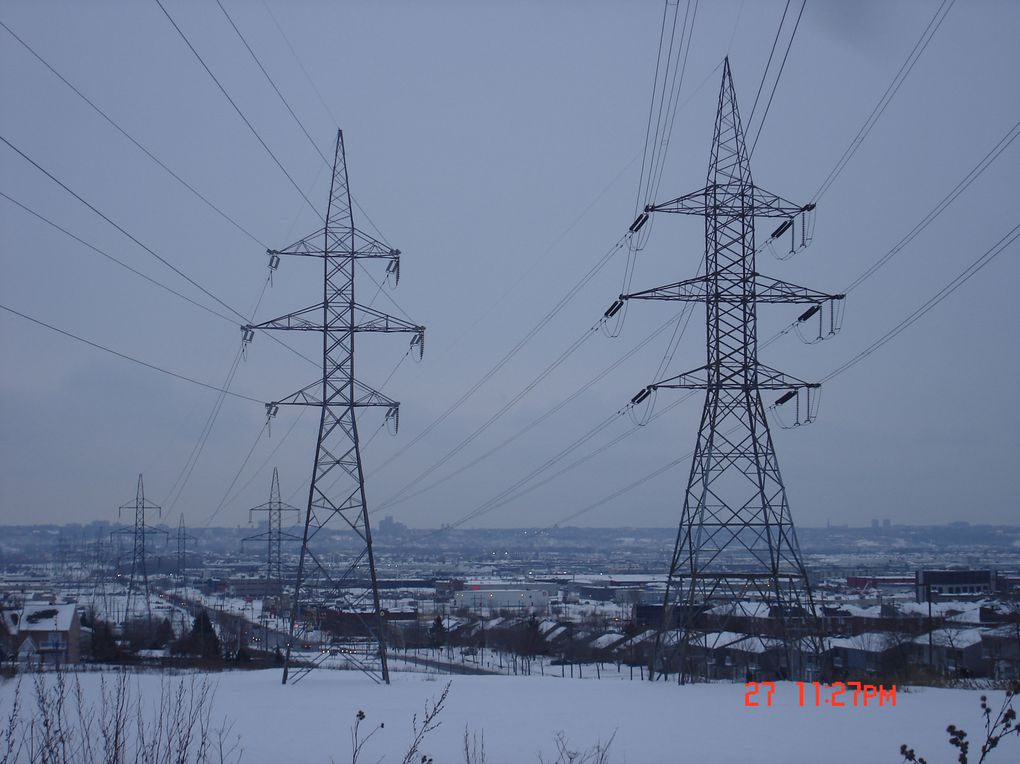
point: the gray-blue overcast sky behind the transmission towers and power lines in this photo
(497, 144)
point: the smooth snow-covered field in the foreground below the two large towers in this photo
(312, 722)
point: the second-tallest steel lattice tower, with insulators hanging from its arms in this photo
(337, 493)
